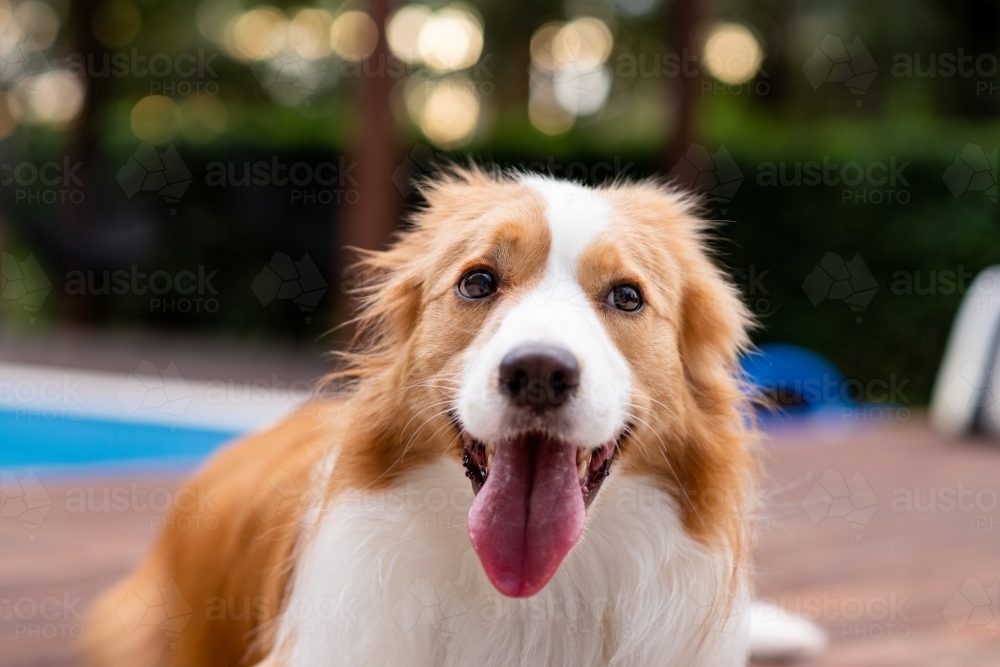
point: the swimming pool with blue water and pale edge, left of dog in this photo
(71, 419)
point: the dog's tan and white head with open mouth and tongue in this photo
(548, 335)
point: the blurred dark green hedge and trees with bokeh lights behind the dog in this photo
(146, 142)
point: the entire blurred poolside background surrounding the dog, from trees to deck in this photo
(179, 179)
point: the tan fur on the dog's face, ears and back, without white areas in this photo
(689, 430)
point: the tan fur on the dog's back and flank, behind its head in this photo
(245, 560)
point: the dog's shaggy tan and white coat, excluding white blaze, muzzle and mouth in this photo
(341, 535)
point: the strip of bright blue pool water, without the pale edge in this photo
(30, 440)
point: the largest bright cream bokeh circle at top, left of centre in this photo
(451, 39)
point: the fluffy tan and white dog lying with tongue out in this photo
(539, 453)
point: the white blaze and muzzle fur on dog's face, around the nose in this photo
(554, 312)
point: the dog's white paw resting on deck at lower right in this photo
(777, 636)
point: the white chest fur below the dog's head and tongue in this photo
(390, 578)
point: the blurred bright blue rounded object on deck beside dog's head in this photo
(798, 381)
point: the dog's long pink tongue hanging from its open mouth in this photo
(528, 515)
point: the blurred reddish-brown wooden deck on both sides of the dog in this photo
(893, 583)
